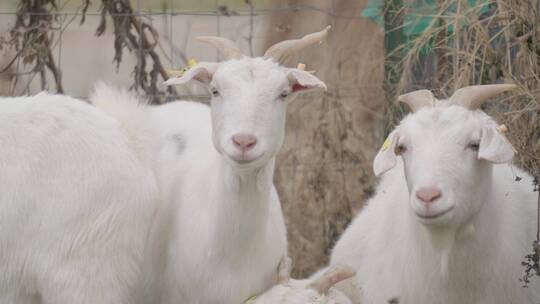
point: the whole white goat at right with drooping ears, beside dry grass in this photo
(448, 223)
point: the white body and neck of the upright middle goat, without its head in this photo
(223, 229)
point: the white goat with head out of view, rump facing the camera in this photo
(76, 202)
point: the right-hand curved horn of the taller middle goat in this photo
(281, 50)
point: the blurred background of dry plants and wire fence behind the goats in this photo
(376, 50)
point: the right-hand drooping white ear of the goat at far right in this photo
(494, 146)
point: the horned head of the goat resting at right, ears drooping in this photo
(447, 148)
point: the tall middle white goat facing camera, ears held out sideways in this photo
(223, 227)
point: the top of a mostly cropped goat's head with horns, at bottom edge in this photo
(312, 291)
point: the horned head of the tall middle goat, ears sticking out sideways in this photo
(250, 96)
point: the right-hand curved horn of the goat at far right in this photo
(473, 97)
